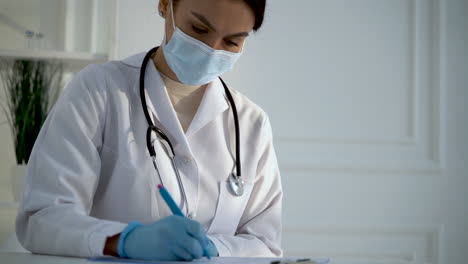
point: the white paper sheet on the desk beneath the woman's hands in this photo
(216, 260)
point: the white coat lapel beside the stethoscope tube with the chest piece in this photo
(213, 103)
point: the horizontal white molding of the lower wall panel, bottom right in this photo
(410, 244)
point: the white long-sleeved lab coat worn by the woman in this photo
(90, 172)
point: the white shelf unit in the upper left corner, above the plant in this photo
(77, 32)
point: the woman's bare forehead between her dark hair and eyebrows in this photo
(230, 15)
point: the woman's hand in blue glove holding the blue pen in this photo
(171, 238)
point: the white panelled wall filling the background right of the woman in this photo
(367, 100)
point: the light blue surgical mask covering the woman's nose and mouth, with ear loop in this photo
(194, 62)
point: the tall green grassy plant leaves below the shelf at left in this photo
(31, 88)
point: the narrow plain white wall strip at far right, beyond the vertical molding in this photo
(455, 199)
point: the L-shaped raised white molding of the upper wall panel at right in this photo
(420, 151)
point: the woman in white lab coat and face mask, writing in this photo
(163, 117)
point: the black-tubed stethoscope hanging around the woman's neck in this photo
(236, 183)
